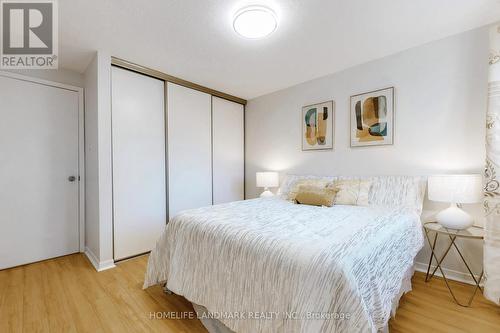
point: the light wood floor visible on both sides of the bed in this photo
(67, 295)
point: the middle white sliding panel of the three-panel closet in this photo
(189, 149)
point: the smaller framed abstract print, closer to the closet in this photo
(317, 126)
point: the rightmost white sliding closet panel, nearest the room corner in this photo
(228, 150)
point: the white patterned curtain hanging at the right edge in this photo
(492, 173)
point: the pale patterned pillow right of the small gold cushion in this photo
(351, 192)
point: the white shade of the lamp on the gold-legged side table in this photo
(456, 188)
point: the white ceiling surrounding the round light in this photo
(194, 39)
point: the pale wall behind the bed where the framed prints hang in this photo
(441, 94)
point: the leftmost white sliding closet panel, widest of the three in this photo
(139, 187)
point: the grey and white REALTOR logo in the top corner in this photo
(29, 34)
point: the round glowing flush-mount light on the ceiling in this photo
(255, 22)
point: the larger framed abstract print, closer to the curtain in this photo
(372, 118)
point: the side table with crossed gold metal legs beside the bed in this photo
(473, 232)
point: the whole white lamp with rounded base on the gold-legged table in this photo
(455, 189)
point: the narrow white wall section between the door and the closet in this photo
(99, 215)
